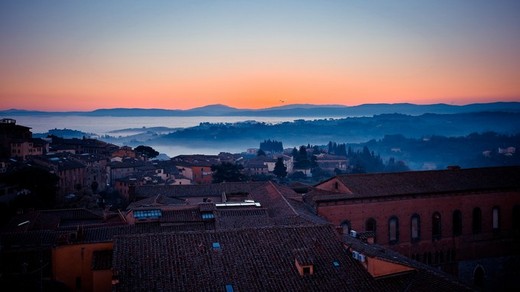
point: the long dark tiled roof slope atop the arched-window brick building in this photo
(438, 181)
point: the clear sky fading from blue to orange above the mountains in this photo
(59, 55)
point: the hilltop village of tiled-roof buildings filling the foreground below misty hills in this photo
(86, 215)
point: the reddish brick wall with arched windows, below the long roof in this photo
(445, 249)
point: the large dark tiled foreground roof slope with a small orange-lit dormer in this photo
(259, 259)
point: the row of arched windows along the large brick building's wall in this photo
(437, 226)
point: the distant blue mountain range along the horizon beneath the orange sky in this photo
(293, 110)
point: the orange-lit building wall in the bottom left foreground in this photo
(78, 276)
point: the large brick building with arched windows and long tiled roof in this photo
(447, 218)
